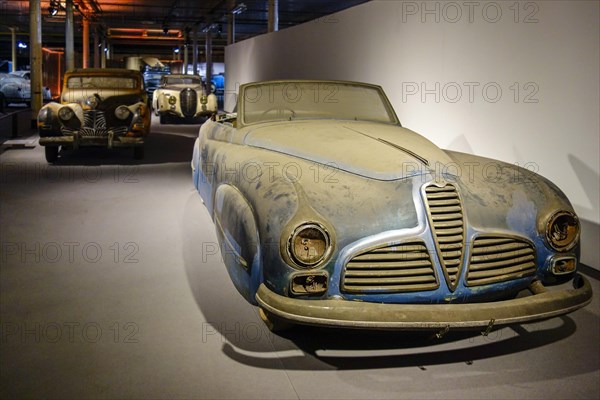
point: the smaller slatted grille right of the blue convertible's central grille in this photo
(497, 259)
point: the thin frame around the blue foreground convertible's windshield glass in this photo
(243, 88)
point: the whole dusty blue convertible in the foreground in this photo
(328, 212)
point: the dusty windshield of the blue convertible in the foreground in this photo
(277, 101)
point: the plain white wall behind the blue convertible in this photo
(513, 81)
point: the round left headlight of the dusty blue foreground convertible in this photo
(309, 245)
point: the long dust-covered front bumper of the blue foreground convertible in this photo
(542, 304)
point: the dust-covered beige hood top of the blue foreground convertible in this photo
(373, 150)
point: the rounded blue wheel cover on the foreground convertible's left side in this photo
(238, 240)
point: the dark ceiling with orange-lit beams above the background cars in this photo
(136, 27)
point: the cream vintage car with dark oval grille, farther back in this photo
(183, 98)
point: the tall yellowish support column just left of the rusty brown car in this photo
(35, 55)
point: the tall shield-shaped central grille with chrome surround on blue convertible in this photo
(447, 225)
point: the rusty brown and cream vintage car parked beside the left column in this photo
(106, 107)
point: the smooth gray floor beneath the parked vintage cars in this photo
(111, 287)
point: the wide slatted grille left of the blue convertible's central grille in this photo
(399, 268)
